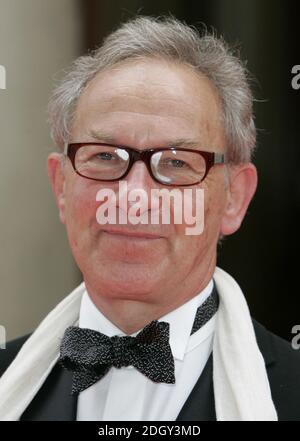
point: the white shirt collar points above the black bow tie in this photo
(180, 320)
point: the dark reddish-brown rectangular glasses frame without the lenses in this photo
(211, 159)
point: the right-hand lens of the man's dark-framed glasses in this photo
(178, 167)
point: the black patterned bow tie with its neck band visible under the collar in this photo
(90, 354)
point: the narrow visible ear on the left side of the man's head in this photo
(57, 179)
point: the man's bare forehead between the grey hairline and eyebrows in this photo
(171, 91)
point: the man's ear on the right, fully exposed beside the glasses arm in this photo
(241, 188)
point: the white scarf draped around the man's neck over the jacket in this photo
(241, 386)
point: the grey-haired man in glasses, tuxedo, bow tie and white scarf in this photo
(156, 331)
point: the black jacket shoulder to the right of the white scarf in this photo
(283, 369)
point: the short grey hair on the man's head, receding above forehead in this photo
(170, 39)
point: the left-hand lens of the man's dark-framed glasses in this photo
(101, 162)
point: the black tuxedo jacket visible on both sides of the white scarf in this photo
(53, 402)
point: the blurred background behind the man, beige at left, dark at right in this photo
(38, 39)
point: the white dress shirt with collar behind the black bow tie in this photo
(126, 394)
